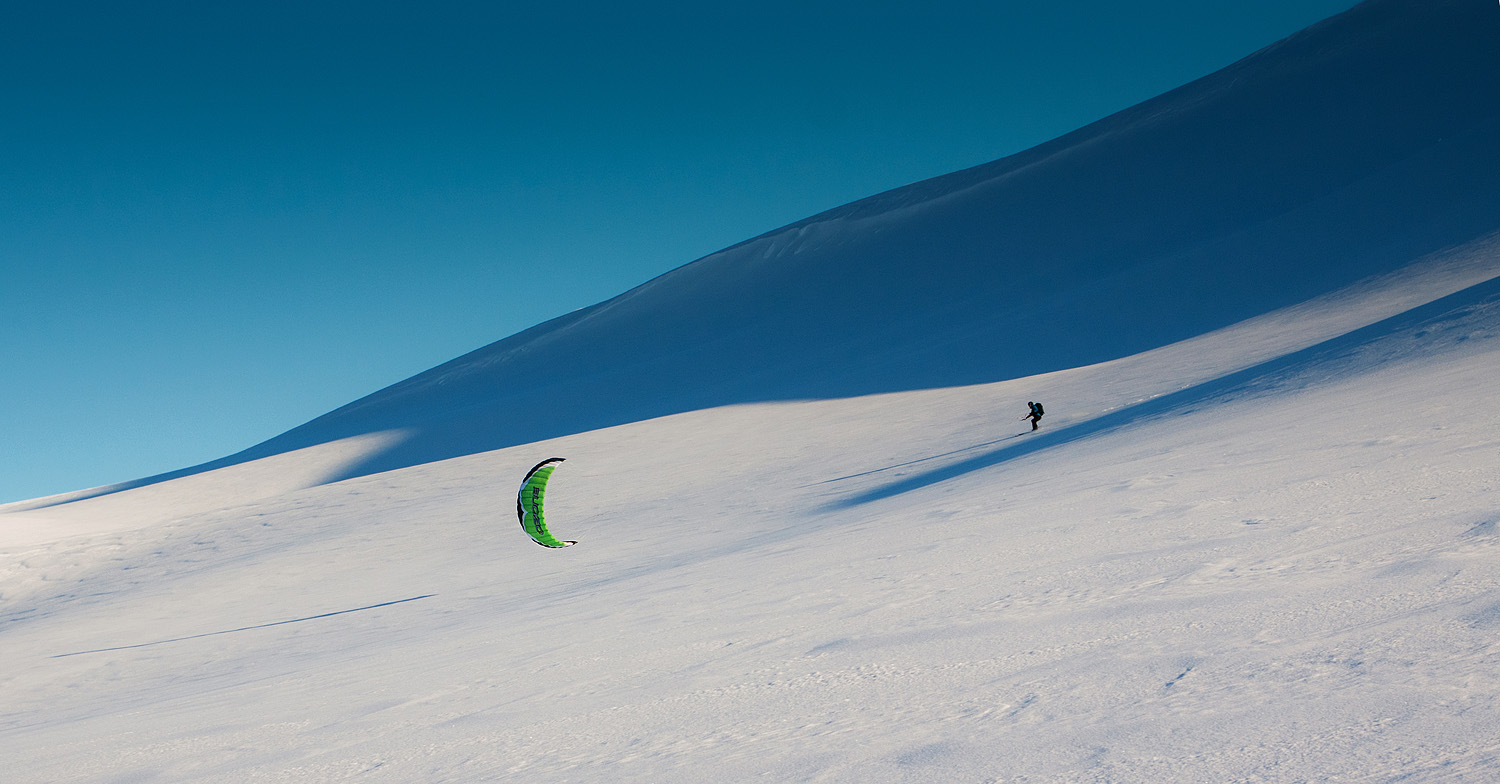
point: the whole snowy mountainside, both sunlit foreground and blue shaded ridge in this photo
(1255, 545)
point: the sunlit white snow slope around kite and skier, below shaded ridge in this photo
(1283, 575)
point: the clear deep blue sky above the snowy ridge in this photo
(223, 220)
